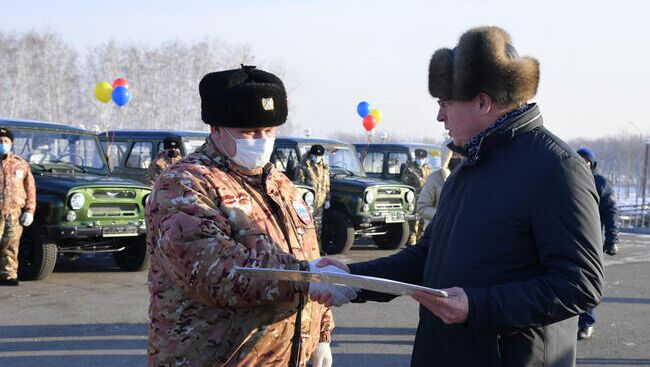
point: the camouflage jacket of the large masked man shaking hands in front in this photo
(207, 215)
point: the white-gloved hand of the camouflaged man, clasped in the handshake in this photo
(330, 294)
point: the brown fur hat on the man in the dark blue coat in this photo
(484, 61)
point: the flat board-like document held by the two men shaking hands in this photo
(351, 280)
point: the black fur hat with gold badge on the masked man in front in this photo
(246, 97)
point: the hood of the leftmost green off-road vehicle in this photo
(63, 184)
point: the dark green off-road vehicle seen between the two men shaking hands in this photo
(360, 206)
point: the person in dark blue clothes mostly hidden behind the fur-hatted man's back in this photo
(607, 210)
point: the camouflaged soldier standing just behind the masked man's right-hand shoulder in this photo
(315, 172)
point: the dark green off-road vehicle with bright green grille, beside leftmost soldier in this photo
(80, 207)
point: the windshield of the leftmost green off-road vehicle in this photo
(51, 148)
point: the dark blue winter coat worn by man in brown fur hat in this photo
(518, 229)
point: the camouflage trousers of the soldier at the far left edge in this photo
(10, 232)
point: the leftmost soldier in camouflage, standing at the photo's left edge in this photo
(18, 200)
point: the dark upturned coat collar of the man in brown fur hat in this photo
(508, 126)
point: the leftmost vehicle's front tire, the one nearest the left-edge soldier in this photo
(36, 257)
